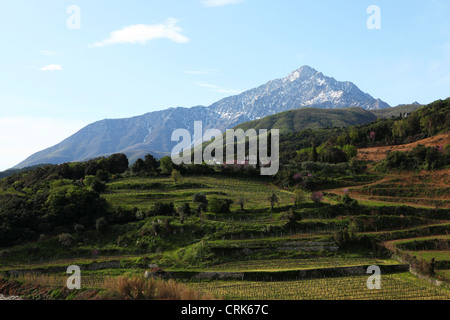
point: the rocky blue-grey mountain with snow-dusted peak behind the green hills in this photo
(151, 132)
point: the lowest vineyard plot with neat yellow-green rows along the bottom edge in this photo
(393, 287)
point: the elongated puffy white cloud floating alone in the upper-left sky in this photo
(142, 33)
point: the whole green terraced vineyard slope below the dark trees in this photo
(257, 241)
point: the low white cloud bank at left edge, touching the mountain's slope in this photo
(20, 137)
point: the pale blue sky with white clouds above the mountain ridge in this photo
(132, 57)
